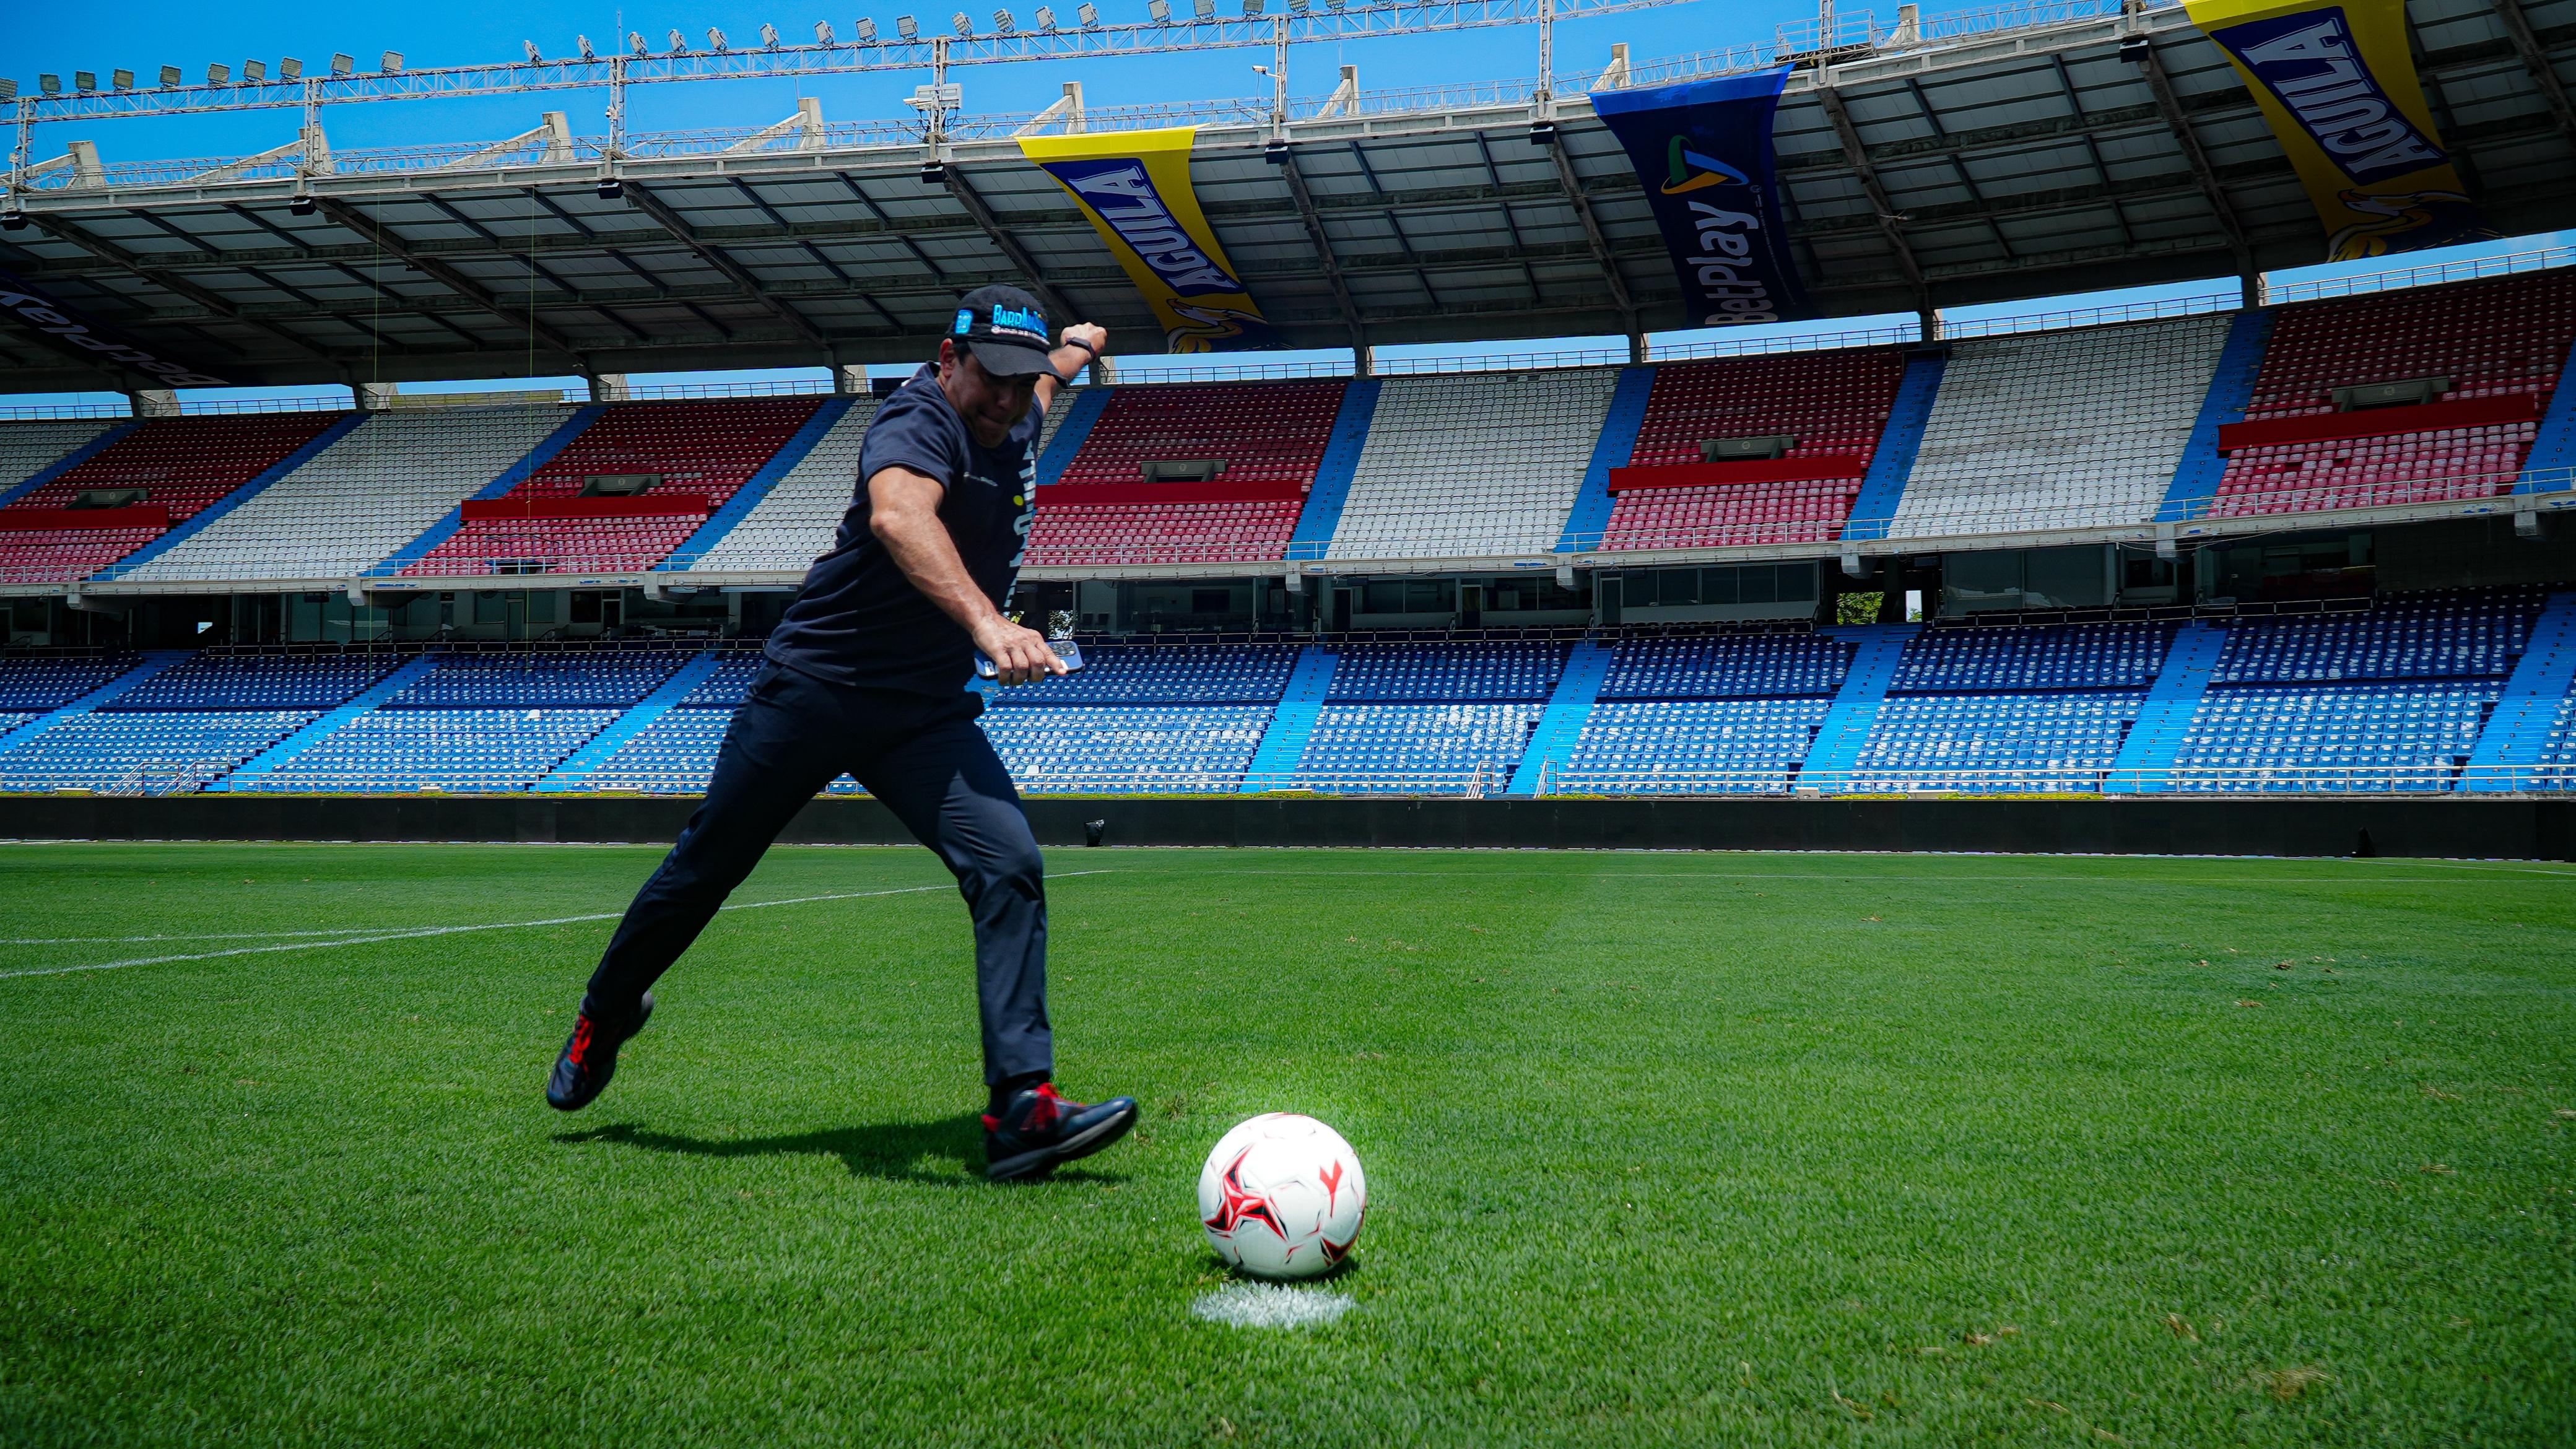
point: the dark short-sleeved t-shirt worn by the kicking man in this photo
(859, 620)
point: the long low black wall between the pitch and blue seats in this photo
(2157, 826)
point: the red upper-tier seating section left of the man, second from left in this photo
(622, 494)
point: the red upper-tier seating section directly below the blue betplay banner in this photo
(1753, 450)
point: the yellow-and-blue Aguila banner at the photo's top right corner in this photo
(2340, 92)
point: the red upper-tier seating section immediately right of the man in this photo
(1124, 499)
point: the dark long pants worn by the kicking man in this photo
(929, 762)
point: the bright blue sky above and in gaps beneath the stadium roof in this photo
(148, 35)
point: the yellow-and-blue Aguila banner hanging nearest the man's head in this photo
(1137, 192)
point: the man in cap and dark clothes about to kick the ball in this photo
(867, 674)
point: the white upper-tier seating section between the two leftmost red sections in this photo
(359, 499)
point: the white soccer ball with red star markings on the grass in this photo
(1282, 1198)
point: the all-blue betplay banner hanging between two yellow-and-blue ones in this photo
(1704, 151)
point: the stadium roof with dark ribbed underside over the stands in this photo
(2018, 153)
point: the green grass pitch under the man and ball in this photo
(1663, 1151)
